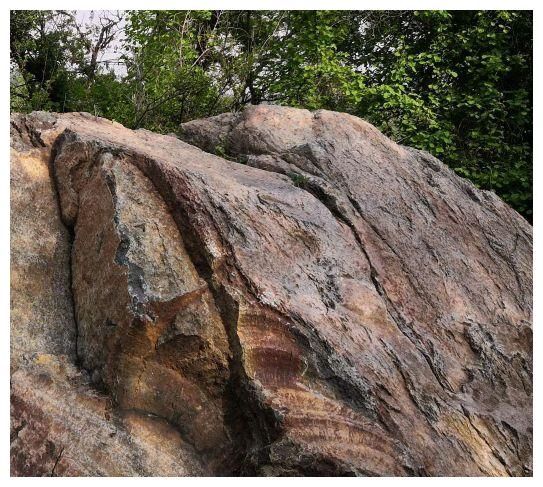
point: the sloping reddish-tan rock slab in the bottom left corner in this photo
(62, 427)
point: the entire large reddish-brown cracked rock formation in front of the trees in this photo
(319, 300)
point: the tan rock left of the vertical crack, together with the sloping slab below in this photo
(60, 423)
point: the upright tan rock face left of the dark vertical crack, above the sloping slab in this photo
(41, 298)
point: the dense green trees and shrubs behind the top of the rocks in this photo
(455, 83)
